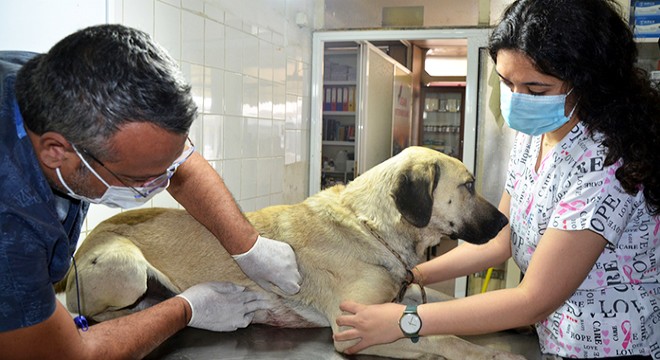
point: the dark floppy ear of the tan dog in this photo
(413, 194)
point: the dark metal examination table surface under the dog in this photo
(265, 342)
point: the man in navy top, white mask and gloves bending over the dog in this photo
(103, 117)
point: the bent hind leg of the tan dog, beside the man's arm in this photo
(113, 279)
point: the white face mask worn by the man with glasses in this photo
(114, 196)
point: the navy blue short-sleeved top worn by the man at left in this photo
(36, 245)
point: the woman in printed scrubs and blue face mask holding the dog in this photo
(582, 196)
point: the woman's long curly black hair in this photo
(588, 44)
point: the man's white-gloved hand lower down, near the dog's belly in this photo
(221, 306)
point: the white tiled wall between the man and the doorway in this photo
(248, 64)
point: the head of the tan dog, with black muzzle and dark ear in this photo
(437, 192)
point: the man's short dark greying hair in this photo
(96, 80)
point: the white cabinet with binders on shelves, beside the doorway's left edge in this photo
(358, 107)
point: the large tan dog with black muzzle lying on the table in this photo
(344, 239)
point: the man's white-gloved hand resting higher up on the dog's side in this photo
(271, 262)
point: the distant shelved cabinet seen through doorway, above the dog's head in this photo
(442, 122)
